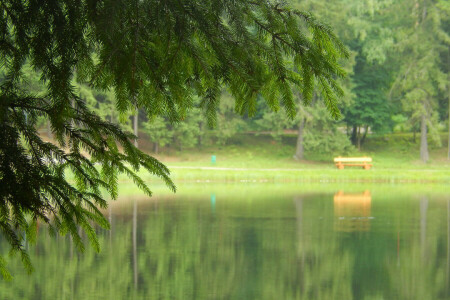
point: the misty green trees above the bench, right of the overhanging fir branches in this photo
(402, 60)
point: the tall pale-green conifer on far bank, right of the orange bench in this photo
(418, 81)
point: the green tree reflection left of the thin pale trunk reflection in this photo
(58, 276)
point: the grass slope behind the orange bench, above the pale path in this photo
(395, 151)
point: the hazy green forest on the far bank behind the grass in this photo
(397, 89)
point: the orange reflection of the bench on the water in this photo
(352, 211)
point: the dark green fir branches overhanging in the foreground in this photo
(153, 55)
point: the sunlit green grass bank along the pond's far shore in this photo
(251, 158)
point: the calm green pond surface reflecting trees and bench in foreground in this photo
(261, 242)
